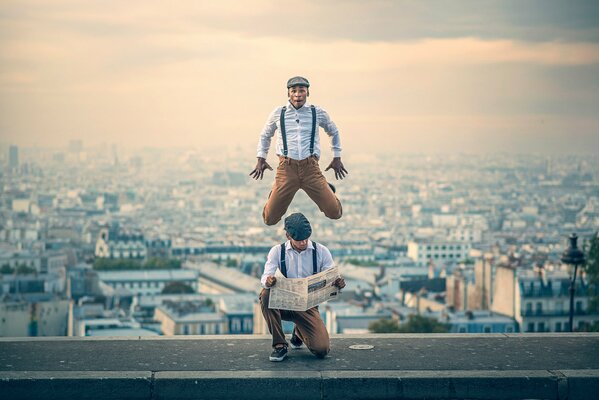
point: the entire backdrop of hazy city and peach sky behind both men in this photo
(128, 130)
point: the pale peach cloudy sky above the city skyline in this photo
(395, 76)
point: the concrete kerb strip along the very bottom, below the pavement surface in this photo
(183, 385)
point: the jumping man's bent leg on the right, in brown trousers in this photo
(316, 187)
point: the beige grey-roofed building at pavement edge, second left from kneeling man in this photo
(190, 318)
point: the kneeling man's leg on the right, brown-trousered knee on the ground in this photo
(311, 330)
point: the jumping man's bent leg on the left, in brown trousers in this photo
(283, 190)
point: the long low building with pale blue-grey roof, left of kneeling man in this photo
(147, 282)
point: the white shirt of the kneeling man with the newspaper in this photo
(299, 264)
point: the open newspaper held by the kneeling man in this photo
(301, 294)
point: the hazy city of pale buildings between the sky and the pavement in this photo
(103, 241)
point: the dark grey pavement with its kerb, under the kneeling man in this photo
(431, 366)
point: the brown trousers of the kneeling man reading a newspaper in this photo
(308, 326)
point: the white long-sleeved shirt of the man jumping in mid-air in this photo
(298, 129)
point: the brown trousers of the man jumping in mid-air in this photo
(293, 175)
